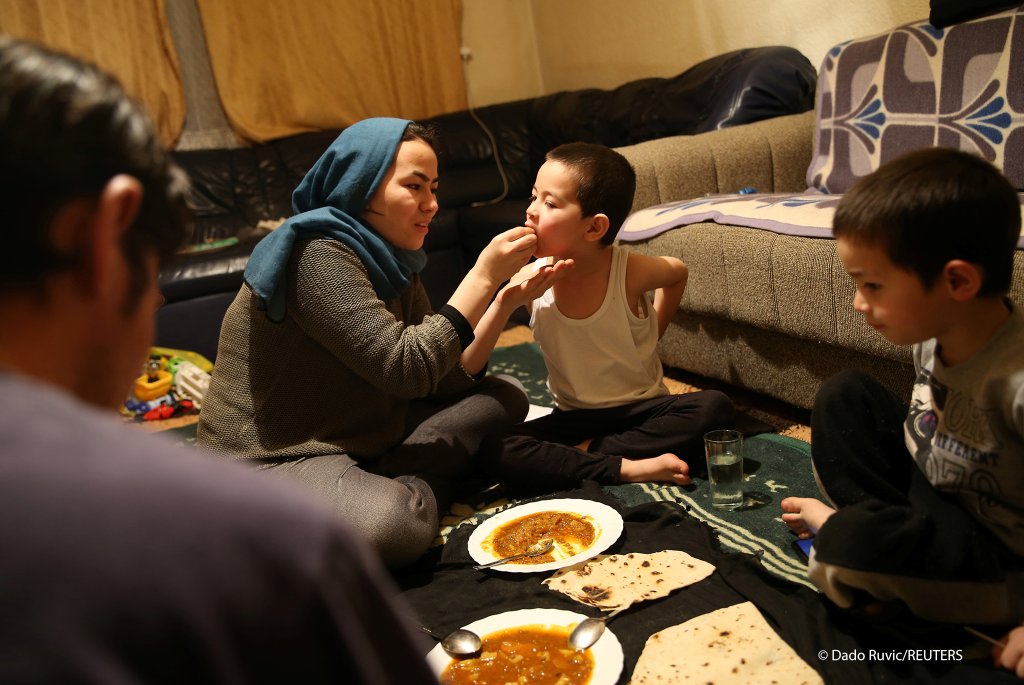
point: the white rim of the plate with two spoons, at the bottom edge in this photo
(608, 652)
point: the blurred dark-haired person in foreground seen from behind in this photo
(125, 559)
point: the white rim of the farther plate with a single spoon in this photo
(608, 522)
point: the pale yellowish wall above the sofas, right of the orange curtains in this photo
(524, 49)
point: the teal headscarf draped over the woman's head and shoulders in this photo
(329, 202)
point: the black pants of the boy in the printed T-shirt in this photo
(894, 536)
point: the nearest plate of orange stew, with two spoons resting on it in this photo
(532, 645)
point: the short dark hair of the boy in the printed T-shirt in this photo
(932, 206)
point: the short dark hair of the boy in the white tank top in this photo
(606, 182)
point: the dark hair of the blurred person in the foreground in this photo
(67, 129)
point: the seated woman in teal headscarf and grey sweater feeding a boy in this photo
(332, 367)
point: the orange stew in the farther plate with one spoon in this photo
(572, 532)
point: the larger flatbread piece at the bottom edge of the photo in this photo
(732, 646)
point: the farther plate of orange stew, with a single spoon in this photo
(580, 530)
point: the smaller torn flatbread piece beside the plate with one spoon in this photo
(611, 582)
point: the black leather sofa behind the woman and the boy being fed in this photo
(488, 158)
